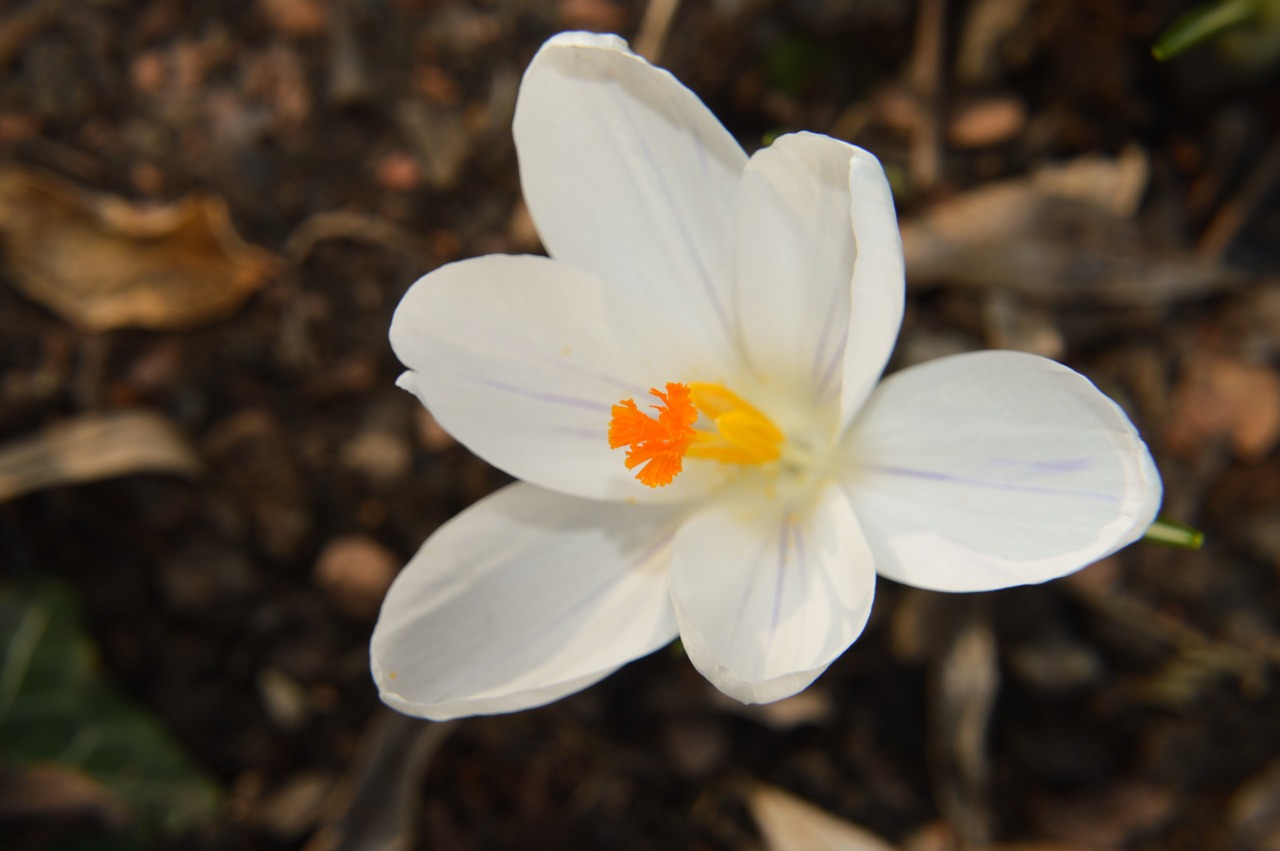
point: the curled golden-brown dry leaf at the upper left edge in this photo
(102, 263)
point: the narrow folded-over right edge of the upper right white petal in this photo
(876, 309)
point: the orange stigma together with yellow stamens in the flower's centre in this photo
(660, 446)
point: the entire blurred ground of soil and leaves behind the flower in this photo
(208, 479)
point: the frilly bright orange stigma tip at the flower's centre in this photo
(659, 443)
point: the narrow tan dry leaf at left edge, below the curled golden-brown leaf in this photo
(92, 447)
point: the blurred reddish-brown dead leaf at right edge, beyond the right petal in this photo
(1226, 399)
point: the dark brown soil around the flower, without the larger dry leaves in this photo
(1137, 703)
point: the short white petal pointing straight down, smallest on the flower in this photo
(769, 593)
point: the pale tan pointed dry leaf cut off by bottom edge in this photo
(792, 825)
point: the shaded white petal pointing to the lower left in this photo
(523, 600)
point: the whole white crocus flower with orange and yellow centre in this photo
(752, 304)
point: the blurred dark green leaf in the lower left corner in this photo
(56, 706)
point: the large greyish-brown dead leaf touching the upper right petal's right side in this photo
(1060, 236)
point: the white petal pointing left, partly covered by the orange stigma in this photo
(522, 359)
